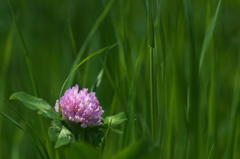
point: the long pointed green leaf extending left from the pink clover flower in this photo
(35, 103)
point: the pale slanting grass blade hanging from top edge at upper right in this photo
(208, 35)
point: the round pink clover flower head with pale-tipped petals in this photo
(80, 107)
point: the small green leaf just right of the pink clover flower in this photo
(115, 119)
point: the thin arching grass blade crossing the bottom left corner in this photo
(20, 127)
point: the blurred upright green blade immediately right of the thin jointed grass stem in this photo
(161, 75)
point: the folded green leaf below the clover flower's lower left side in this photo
(59, 134)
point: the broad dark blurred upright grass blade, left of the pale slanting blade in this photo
(193, 136)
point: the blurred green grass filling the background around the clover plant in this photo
(175, 72)
